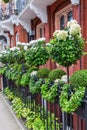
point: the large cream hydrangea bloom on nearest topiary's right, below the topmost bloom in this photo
(75, 29)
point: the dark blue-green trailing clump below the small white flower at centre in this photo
(35, 84)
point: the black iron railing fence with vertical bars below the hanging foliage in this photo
(74, 121)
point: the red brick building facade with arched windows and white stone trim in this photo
(42, 20)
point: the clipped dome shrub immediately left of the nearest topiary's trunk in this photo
(56, 74)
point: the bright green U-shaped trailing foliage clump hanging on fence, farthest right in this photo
(70, 100)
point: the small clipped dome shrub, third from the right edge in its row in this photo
(43, 73)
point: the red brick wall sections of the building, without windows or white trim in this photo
(79, 13)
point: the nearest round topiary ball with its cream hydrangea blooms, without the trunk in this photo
(67, 45)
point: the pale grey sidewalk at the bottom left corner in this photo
(8, 120)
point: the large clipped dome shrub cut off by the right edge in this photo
(79, 78)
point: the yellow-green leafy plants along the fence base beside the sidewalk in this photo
(32, 118)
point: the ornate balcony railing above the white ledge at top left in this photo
(13, 7)
